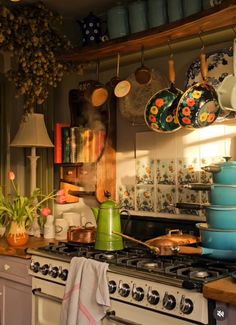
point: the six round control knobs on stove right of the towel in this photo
(153, 297)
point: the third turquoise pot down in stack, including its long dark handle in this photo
(217, 216)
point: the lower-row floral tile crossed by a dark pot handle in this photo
(188, 196)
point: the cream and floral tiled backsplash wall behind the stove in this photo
(153, 180)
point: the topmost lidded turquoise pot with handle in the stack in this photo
(223, 173)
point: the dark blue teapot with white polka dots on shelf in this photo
(91, 29)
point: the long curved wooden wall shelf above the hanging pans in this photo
(212, 20)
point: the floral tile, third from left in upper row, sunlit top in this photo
(187, 171)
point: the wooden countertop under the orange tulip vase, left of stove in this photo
(33, 242)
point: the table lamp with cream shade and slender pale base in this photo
(32, 133)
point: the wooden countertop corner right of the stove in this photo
(223, 290)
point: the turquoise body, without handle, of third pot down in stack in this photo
(222, 217)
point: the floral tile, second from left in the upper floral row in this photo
(166, 171)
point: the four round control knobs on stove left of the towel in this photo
(52, 271)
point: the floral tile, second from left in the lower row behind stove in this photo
(145, 198)
